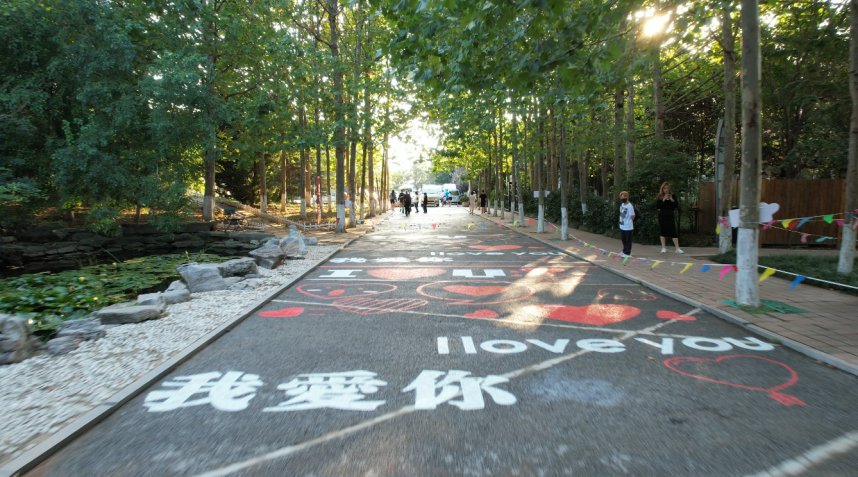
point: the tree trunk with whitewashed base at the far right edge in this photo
(847, 237)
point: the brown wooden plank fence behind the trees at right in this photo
(797, 198)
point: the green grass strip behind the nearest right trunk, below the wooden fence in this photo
(824, 268)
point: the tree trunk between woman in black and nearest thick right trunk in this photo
(725, 238)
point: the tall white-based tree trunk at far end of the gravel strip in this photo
(339, 132)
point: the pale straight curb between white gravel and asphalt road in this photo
(44, 450)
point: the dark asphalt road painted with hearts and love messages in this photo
(443, 344)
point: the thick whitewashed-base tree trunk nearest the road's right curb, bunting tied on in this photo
(747, 253)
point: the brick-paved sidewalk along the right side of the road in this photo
(826, 328)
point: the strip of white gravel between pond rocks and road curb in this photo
(42, 394)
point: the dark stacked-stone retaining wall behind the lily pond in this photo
(69, 248)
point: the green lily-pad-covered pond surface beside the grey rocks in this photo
(48, 299)
